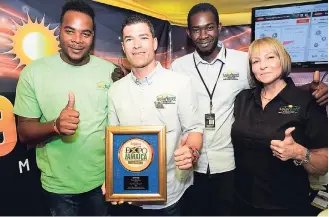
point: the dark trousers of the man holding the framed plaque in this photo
(131, 210)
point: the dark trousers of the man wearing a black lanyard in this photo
(210, 195)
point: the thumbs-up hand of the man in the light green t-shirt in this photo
(68, 120)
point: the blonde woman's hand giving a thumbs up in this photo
(285, 149)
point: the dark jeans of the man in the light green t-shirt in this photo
(91, 203)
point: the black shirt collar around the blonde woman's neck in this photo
(286, 93)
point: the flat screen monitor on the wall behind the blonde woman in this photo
(301, 28)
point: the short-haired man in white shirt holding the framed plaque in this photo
(139, 99)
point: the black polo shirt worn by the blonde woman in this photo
(262, 179)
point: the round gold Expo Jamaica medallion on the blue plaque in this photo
(135, 155)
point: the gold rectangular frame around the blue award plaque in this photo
(161, 194)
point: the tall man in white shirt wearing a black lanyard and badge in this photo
(218, 74)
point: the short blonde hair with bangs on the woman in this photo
(278, 50)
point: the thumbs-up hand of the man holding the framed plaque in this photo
(183, 155)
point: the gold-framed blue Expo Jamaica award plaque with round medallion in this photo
(136, 163)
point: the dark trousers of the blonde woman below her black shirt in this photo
(241, 208)
